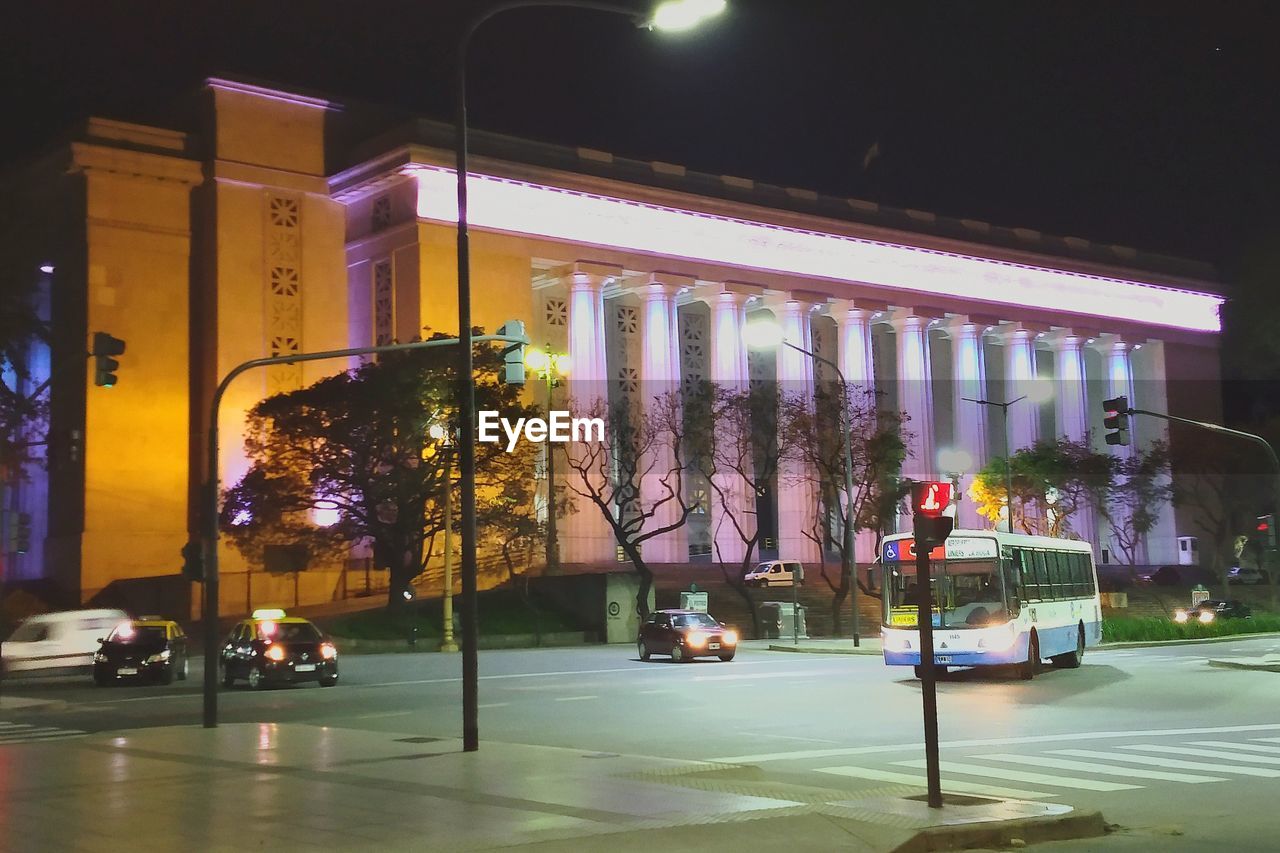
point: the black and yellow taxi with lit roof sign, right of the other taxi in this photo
(275, 649)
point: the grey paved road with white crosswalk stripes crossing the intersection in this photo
(1181, 755)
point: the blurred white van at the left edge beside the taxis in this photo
(60, 641)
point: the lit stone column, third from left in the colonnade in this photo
(730, 501)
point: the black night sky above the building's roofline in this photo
(1153, 125)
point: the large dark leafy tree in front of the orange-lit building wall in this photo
(359, 443)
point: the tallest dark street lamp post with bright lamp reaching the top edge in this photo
(673, 15)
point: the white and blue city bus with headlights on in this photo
(999, 600)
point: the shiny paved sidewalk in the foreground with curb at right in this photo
(286, 786)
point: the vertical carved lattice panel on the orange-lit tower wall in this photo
(284, 241)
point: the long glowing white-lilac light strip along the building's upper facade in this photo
(531, 209)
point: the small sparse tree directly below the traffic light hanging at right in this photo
(1133, 503)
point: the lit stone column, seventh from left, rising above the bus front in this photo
(970, 381)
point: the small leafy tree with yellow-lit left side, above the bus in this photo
(1054, 480)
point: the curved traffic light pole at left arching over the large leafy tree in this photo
(211, 603)
